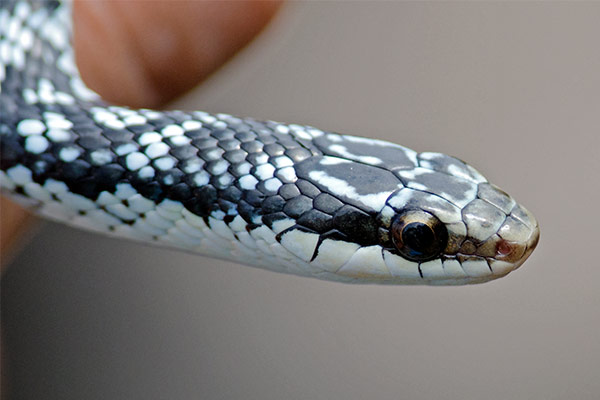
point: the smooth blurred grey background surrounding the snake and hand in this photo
(514, 89)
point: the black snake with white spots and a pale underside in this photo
(288, 198)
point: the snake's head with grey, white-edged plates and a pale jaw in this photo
(402, 217)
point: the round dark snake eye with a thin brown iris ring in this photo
(418, 235)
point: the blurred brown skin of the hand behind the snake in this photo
(145, 54)
